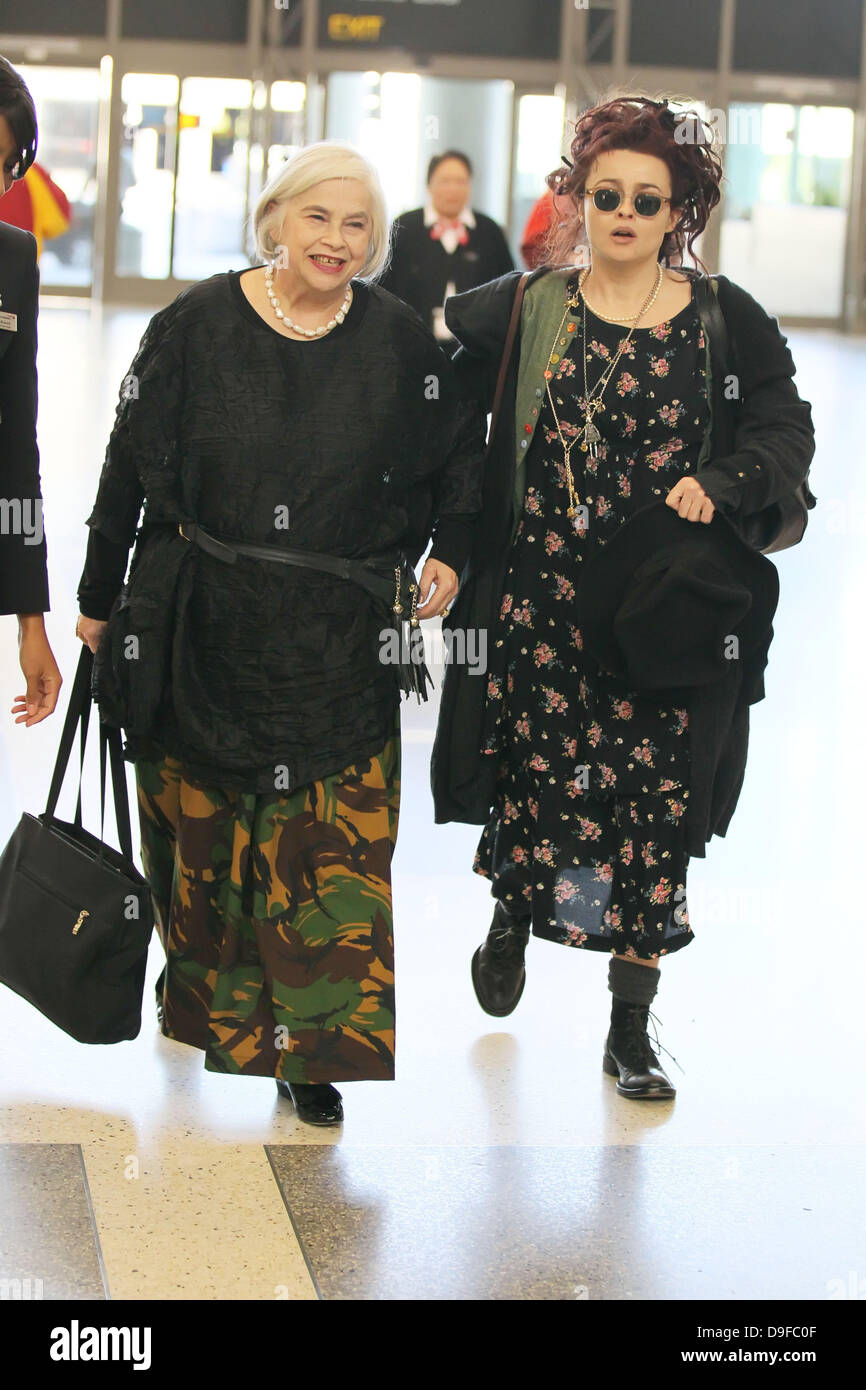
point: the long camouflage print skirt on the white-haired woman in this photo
(276, 917)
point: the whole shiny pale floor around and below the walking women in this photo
(501, 1164)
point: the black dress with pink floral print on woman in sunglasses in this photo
(589, 831)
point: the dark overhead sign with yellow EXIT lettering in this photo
(468, 28)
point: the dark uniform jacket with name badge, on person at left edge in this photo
(24, 579)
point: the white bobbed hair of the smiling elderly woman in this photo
(311, 166)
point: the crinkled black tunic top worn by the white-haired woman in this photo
(355, 445)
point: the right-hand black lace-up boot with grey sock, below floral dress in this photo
(629, 1053)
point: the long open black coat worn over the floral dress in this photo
(755, 458)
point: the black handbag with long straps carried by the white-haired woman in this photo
(76, 914)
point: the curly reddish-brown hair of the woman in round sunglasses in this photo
(685, 141)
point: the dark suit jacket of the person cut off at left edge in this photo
(24, 580)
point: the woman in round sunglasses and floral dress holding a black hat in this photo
(597, 779)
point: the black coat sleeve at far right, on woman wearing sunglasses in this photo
(775, 437)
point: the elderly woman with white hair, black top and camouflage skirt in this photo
(295, 437)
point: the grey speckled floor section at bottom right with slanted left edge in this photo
(528, 1223)
